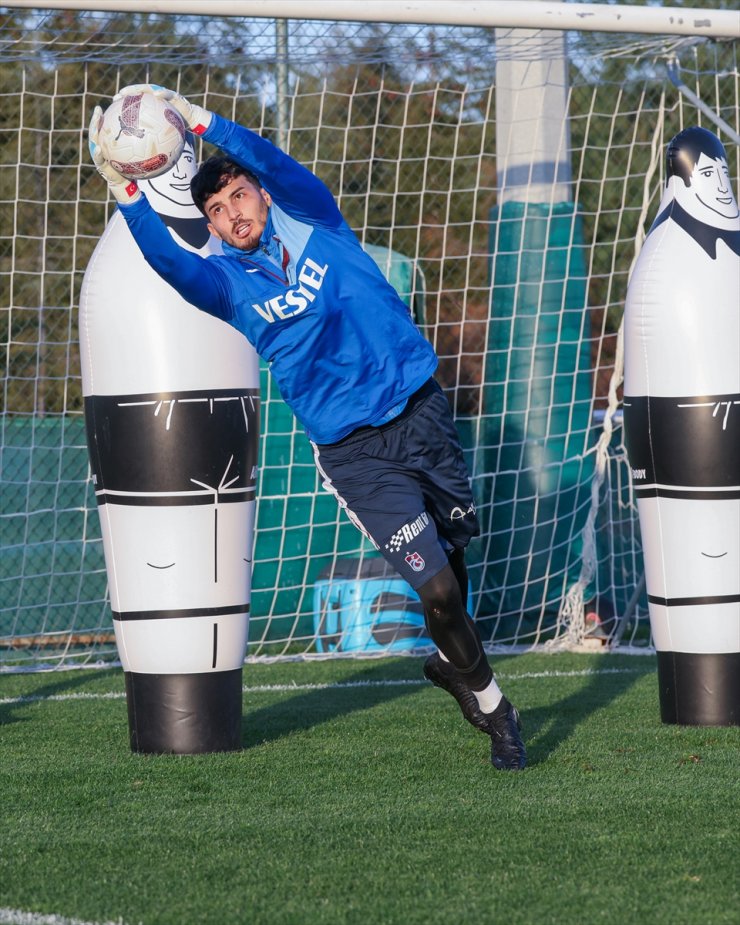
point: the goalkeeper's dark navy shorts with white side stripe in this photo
(405, 485)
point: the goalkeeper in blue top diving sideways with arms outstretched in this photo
(352, 366)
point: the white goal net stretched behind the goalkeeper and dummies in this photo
(502, 179)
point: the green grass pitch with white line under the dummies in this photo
(361, 796)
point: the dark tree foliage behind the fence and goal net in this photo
(398, 121)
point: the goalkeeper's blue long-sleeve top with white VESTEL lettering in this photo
(341, 344)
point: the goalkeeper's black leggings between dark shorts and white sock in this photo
(451, 628)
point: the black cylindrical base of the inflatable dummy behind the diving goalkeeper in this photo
(184, 714)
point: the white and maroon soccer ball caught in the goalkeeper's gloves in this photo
(142, 136)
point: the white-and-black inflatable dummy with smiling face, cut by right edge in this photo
(682, 431)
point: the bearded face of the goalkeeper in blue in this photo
(237, 214)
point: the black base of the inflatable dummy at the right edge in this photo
(699, 690)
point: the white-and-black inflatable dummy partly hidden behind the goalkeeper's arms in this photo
(172, 417)
